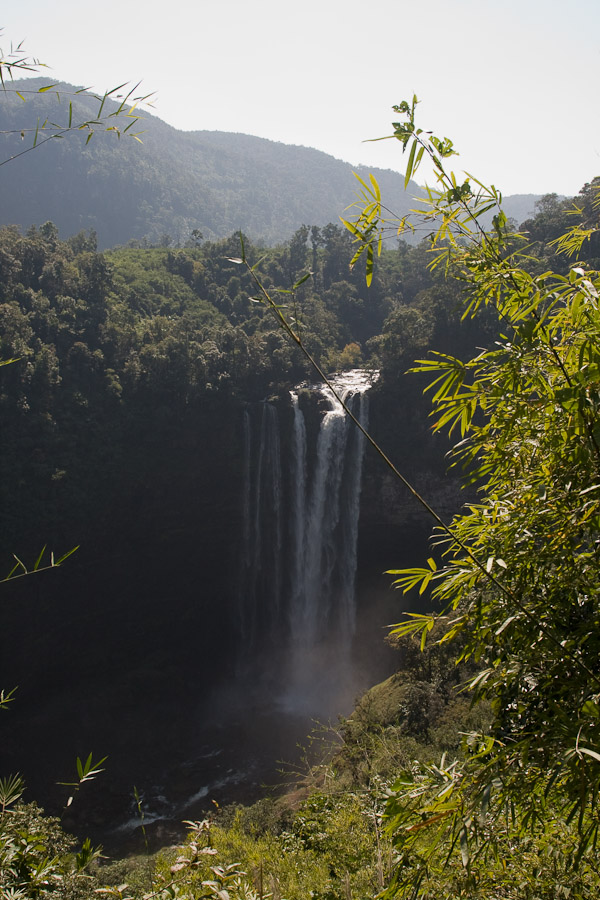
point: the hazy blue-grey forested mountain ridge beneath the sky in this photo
(175, 181)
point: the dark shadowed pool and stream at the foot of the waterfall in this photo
(257, 751)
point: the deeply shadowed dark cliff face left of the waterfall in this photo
(117, 650)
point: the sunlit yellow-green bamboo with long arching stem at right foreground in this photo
(519, 574)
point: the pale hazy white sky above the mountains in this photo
(515, 83)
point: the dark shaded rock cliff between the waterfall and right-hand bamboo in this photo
(395, 529)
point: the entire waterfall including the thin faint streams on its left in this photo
(298, 581)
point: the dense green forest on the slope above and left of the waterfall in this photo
(112, 347)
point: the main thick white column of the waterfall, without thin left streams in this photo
(322, 611)
